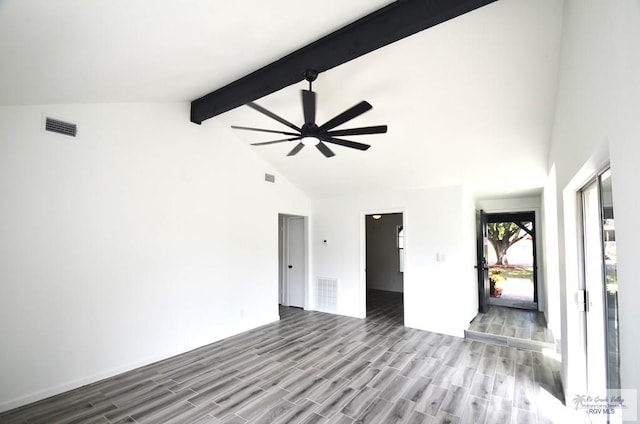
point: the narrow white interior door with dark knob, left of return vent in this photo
(295, 261)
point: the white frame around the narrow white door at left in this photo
(283, 242)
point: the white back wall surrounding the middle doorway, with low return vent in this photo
(439, 296)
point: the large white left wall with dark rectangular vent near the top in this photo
(129, 244)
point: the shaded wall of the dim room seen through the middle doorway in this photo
(383, 259)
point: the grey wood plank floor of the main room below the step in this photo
(312, 367)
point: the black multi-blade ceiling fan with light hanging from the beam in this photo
(310, 134)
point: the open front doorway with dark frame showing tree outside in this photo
(508, 260)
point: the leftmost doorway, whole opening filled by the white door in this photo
(292, 269)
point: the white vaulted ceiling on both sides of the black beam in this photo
(470, 101)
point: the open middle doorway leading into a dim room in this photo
(384, 267)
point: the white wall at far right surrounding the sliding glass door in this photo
(596, 120)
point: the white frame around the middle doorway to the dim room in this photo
(362, 289)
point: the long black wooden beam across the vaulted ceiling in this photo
(378, 29)
